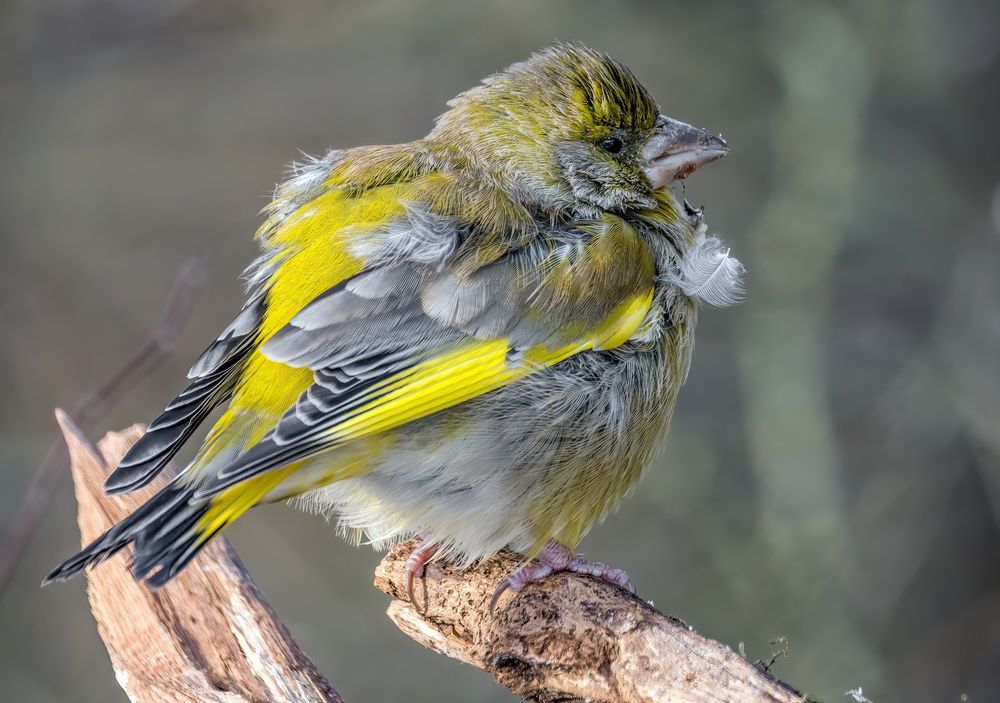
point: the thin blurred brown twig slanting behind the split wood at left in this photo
(91, 408)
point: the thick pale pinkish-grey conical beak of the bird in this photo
(676, 149)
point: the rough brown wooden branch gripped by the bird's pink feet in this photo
(569, 638)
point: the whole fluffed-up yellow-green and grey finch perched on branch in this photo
(475, 339)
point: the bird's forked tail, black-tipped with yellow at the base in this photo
(170, 528)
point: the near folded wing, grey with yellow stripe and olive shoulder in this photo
(406, 338)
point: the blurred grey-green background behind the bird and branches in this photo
(832, 476)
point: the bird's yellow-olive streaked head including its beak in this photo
(572, 129)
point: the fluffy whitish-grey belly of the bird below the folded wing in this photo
(544, 458)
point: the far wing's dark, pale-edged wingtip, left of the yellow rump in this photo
(214, 375)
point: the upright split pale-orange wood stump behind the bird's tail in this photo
(208, 636)
